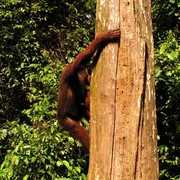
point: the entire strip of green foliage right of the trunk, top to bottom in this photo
(165, 15)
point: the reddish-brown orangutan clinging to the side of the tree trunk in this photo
(74, 96)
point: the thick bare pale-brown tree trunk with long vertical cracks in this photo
(123, 115)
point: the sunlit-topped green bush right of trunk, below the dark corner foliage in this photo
(168, 97)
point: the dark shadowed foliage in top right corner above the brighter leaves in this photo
(165, 16)
